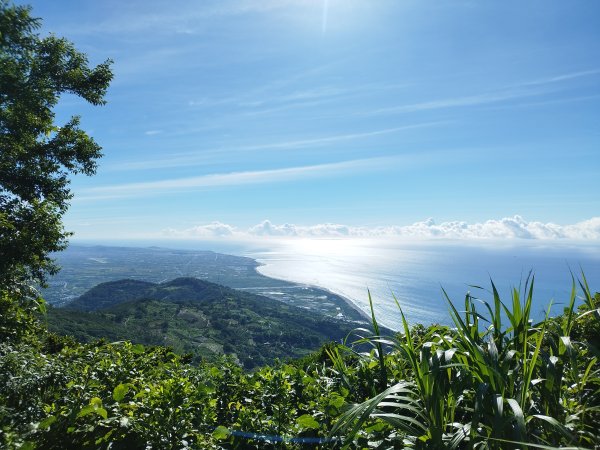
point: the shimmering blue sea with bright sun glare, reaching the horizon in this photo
(415, 272)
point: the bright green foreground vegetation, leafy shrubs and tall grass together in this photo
(493, 380)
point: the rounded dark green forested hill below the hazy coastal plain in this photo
(197, 317)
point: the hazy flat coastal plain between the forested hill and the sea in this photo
(83, 267)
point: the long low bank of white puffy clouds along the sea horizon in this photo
(507, 228)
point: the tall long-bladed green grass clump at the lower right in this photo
(494, 379)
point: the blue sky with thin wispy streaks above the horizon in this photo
(366, 114)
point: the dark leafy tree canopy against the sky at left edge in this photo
(36, 154)
